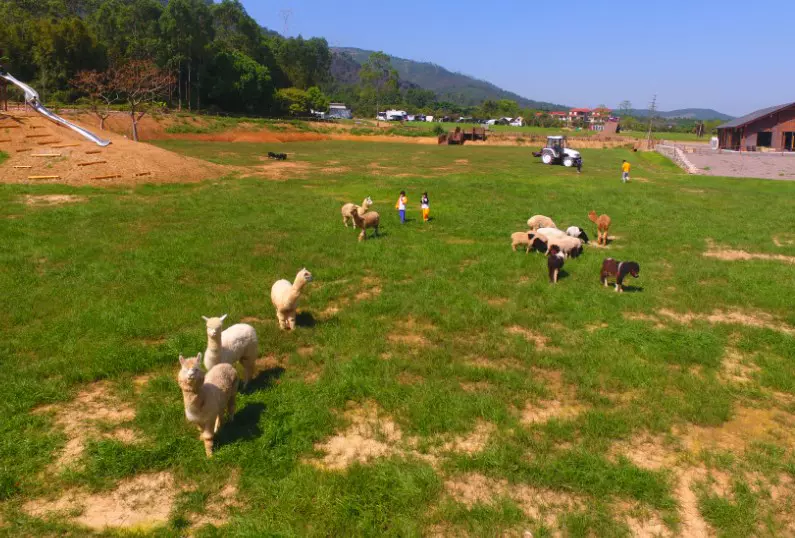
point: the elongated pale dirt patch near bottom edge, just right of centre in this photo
(543, 505)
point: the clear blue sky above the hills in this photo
(728, 55)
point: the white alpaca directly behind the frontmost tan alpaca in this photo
(237, 343)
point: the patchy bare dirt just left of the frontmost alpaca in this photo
(95, 413)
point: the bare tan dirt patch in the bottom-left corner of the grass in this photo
(144, 500)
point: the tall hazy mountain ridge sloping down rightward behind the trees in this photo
(448, 86)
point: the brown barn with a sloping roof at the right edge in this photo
(772, 128)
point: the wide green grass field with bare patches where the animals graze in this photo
(489, 402)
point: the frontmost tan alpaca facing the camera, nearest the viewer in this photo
(207, 397)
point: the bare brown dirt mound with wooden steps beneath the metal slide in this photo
(44, 152)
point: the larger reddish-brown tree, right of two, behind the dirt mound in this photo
(141, 84)
